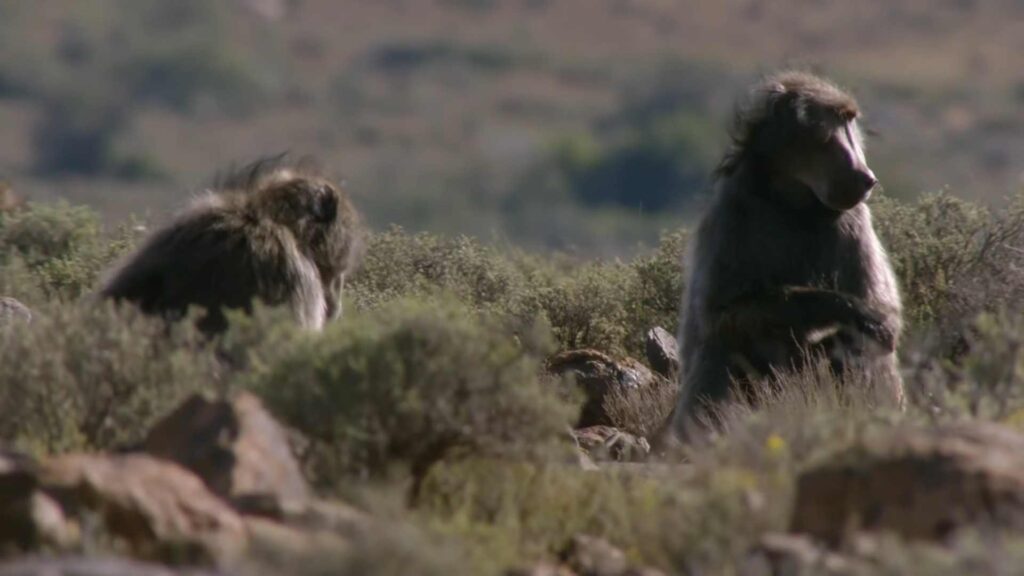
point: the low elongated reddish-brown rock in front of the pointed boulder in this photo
(157, 509)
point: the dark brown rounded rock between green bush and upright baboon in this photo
(623, 394)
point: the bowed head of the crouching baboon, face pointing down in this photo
(318, 212)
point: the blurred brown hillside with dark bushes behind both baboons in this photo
(587, 127)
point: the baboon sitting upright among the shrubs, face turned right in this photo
(786, 265)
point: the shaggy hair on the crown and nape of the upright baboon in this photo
(780, 105)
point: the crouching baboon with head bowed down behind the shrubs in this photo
(274, 231)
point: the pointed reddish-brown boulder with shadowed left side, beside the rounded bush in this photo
(239, 450)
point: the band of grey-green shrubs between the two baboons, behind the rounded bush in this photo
(605, 306)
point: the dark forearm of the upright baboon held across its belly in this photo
(796, 311)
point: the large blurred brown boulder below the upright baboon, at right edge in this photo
(922, 484)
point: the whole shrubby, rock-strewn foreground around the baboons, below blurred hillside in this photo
(481, 410)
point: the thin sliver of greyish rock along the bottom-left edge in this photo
(90, 566)
